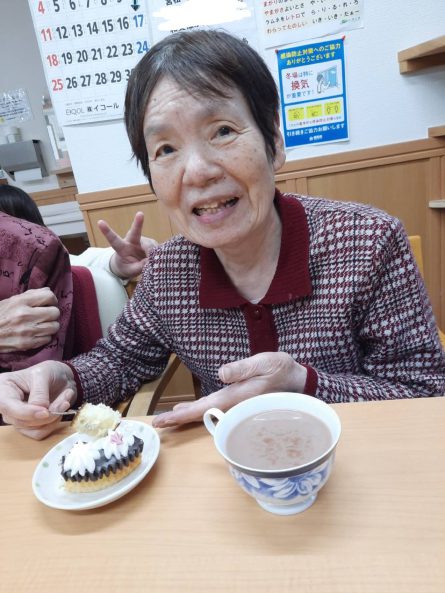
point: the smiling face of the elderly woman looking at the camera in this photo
(209, 166)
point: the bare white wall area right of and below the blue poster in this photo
(385, 107)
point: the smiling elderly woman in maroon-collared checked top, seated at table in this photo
(261, 292)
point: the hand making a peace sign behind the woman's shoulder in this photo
(131, 251)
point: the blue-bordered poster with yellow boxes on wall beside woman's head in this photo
(313, 93)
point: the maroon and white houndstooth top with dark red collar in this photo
(347, 301)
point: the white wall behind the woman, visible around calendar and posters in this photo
(384, 106)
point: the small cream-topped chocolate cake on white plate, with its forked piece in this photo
(94, 464)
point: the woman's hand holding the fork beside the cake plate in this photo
(27, 397)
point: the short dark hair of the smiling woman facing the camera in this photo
(206, 63)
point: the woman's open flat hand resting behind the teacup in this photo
(267, 372)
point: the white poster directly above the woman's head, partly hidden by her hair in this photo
(234, 16)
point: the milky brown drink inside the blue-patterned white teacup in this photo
(278, 439)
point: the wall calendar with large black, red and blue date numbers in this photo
(88, 49)
